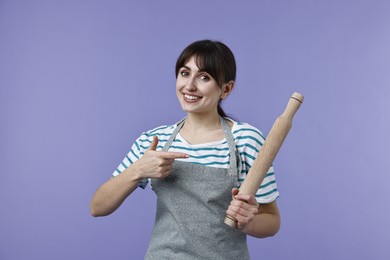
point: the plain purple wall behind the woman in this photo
(80, 80)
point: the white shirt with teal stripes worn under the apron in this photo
(248, 141)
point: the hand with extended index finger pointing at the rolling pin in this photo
(156, 164)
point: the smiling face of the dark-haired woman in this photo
(196, 90)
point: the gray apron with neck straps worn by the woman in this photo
(191, 206)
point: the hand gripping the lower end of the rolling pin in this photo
(243, 208)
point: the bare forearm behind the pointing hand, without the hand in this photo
(112, 193)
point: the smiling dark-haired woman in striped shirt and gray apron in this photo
(195, 167)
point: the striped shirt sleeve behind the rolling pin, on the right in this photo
(252, 140)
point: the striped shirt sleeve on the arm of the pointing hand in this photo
(136, 151)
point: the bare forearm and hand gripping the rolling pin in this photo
(254, 219)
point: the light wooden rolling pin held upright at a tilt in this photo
(268, 151)
